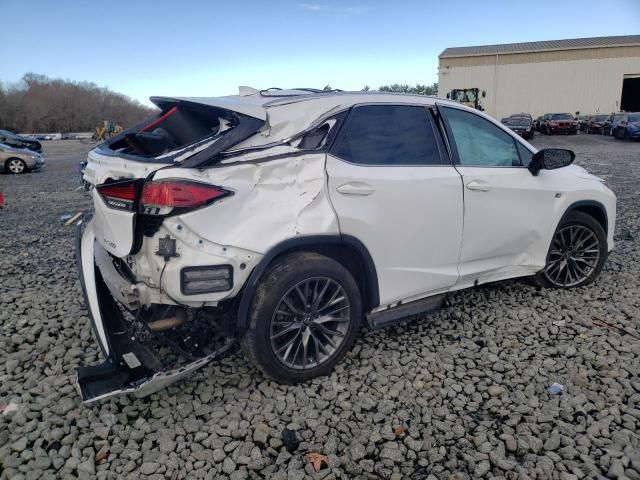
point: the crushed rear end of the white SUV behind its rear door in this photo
(185, 209)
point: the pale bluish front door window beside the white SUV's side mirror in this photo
(481, 143)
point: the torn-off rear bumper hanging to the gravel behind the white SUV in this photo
(130, 365)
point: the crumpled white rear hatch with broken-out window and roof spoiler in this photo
(186, 133)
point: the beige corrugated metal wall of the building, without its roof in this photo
(551, 84)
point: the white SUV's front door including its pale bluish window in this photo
(507, 210)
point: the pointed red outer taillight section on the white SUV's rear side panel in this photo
(163, 197)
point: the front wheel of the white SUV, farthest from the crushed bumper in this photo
(579, 236)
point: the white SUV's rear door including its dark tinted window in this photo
(394, 189)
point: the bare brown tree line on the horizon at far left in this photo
(39, 104)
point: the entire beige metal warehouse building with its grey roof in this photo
(585, 75)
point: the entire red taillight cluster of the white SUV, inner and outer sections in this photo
(160, 197)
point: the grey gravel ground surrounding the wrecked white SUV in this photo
(458, 394)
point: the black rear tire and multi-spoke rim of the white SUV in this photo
(279, 320)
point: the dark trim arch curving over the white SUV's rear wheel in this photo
(345, 249)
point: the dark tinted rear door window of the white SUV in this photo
(388, 135)
